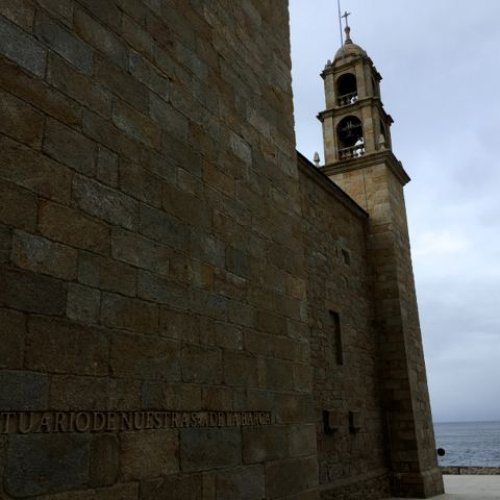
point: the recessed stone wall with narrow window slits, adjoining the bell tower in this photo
(337, 266)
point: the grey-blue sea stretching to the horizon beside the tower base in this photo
(475, 444)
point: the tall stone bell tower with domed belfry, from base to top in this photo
(359, 158)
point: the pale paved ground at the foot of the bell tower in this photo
(470, 487)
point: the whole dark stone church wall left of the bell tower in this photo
(187, 311)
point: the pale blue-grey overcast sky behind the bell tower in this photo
(440, 63)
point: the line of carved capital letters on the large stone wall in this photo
(25, 422)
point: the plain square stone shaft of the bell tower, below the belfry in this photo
(376, 183)
